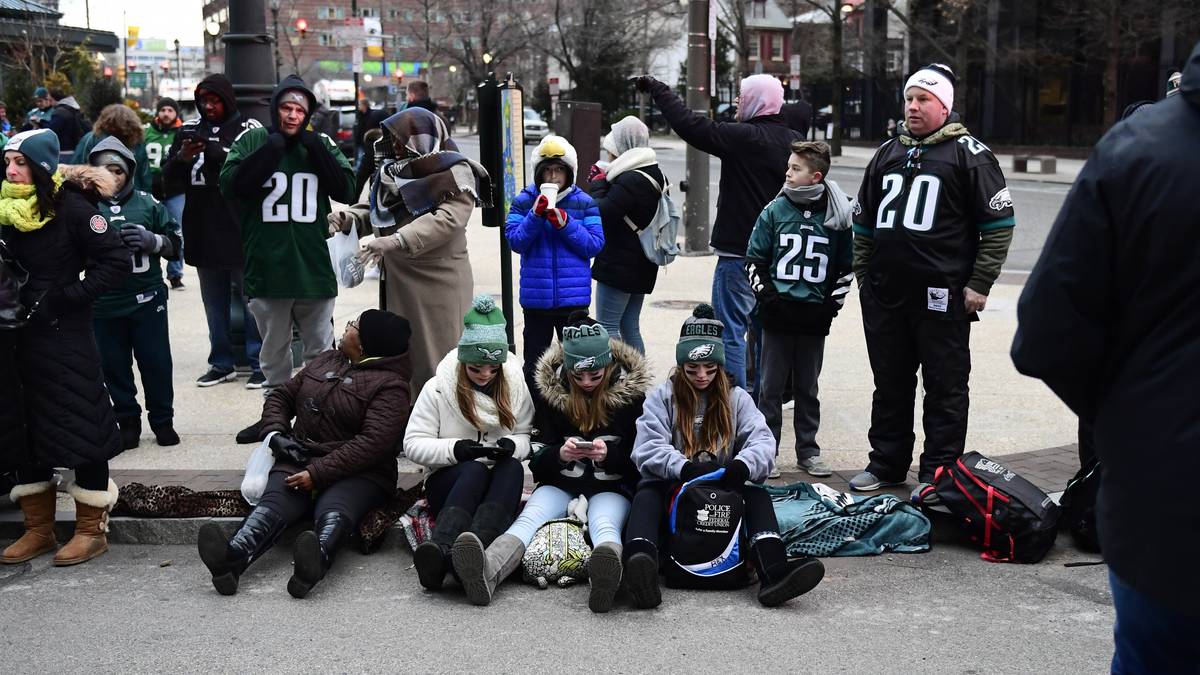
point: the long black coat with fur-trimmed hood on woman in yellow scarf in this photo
(68, 411)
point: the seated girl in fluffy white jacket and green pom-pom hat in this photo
(471, 429)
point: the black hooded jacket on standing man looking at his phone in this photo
(211, 228)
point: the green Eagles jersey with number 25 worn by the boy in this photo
(806, 258)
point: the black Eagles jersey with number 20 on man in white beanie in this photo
(925, 207)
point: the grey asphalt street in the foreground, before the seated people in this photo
(152, 610)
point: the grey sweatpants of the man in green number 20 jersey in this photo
(275, 316)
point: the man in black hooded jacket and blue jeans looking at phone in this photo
(212, 229)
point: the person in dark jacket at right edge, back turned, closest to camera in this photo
(1108, 321)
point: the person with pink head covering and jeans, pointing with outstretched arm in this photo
(754, 154)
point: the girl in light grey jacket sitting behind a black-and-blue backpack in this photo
(719, 422)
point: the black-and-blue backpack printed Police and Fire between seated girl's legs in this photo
(707, 542)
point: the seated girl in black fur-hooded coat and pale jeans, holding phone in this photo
(591, 392)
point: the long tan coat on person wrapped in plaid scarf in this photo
(429, 282)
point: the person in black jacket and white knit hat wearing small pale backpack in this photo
(628, 189)
